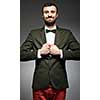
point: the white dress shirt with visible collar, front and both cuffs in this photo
(50, 39)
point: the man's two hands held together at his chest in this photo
(49, 49)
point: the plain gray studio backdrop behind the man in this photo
(30, 18)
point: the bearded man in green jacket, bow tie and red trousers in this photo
(50, 46)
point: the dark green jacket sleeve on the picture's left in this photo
(28, 50)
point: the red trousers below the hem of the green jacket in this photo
(49, 94)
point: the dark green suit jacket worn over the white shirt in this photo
(50, 69)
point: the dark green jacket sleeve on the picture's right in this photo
(72, 52)
